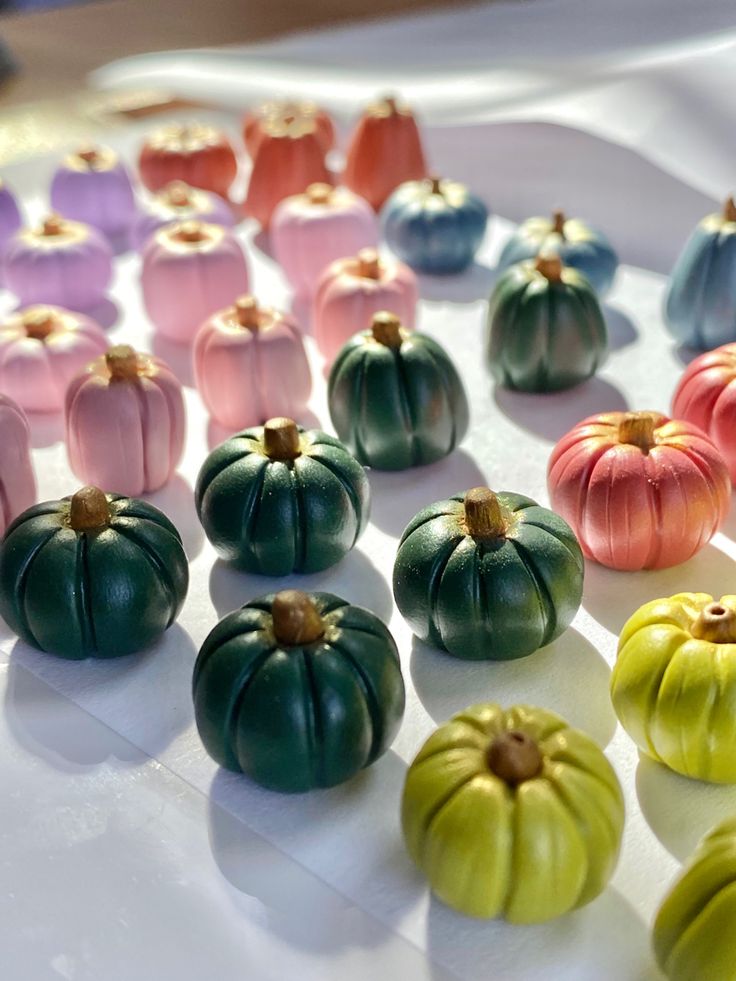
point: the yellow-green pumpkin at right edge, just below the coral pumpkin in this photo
(674, 684)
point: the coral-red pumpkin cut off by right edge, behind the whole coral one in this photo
(706, 396)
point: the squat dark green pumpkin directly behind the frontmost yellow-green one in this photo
(488, 577)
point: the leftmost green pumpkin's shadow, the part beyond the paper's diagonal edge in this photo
(51, 727)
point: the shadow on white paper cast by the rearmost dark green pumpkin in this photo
(552, 414)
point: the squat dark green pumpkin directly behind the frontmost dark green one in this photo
(277, 499)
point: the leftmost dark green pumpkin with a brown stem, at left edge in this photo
(93, 575)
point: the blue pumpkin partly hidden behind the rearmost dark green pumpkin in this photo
(577, 244)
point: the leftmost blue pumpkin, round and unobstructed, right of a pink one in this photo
(434, 226)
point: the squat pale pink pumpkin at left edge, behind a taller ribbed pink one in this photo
(41, 349)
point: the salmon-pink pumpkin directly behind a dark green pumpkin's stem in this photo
(351, 290)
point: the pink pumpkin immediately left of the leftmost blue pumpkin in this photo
(311, 230)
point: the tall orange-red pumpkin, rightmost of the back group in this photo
(385, 150)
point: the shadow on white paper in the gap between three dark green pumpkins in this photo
(396, 496)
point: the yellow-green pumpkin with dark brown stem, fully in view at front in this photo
(512, 813)
